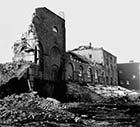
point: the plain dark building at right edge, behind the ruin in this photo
(129, 75)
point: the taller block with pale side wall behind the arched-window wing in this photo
(102, 57)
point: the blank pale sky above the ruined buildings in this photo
(111, 24)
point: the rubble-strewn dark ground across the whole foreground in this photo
(28, 109)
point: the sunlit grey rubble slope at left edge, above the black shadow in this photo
(11, 70)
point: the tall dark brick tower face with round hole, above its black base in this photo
(50, 30)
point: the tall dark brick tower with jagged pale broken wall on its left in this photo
(44, 46)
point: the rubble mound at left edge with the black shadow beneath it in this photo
(13, 78)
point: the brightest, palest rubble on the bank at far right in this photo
(116, 94)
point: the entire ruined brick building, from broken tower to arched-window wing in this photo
(44, 44)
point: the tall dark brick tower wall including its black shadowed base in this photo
(50, 31)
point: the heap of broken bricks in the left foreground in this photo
(26, 108)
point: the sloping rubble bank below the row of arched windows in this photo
(115, 95)
